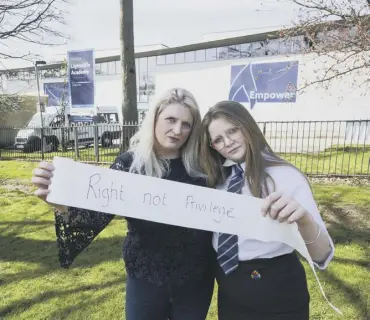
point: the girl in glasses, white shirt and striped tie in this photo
(260, 280)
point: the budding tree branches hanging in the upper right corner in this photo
(339, 31)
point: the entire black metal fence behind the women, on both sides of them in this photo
(330, 148)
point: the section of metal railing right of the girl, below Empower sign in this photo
(329, 148)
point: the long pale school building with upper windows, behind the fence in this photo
(261, 71)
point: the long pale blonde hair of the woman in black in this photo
(145, 159)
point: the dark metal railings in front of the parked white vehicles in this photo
(91, 143)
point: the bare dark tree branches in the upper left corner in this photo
(29, 21)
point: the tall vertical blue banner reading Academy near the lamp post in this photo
(81, 74)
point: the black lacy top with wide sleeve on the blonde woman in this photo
(154, 251)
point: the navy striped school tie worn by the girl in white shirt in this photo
(227, 251)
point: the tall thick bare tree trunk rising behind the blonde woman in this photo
(129, 103)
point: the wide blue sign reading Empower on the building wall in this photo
(269, 82)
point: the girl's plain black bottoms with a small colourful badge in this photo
(276, 291)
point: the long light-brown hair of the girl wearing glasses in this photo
(259, 154)
